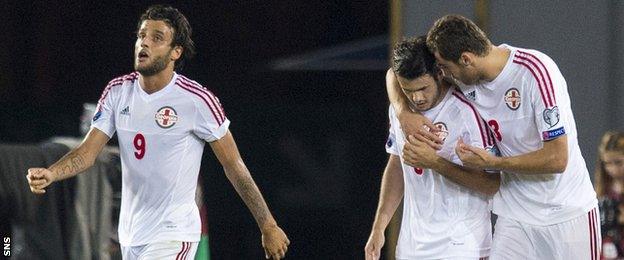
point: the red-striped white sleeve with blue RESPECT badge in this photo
(546, 85)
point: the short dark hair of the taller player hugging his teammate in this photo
(452, 35)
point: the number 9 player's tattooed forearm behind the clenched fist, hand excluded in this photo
(71, 164)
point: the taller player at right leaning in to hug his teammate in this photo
(546, 206)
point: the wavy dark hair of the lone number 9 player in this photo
(181, 30)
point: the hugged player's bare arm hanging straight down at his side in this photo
(389, 198)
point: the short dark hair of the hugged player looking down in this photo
(412, 59)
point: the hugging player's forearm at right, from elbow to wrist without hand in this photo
(552, 158)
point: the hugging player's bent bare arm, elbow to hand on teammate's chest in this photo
(552, 158)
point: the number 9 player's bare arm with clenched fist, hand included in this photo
(74, 162)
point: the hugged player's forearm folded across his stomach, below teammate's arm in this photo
(477, 180)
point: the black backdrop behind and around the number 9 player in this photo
(312, 140)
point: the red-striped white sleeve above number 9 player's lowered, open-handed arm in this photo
(210, 121)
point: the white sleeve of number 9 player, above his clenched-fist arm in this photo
(104, 117)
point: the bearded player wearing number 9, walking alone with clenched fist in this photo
(163, 120)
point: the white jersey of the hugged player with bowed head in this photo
(442, 219)
